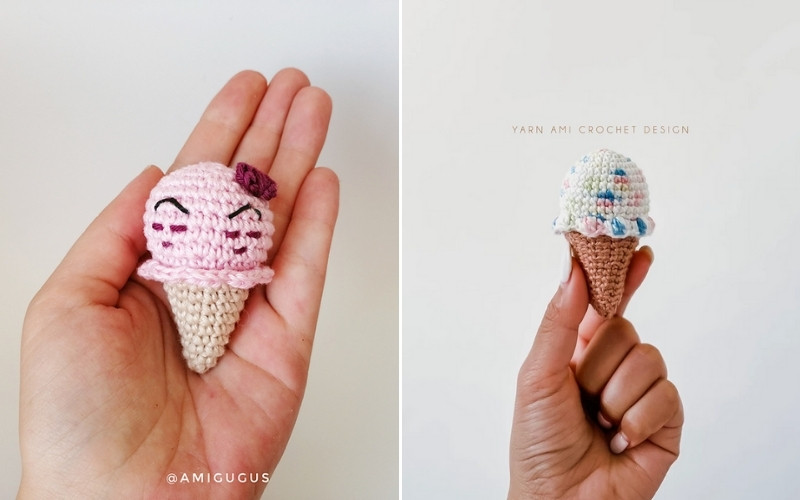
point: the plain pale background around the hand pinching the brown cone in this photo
(480, 263)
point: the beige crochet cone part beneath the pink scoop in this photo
(205, 317)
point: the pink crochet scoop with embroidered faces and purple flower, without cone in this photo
(209, 225)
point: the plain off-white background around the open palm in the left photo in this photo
(91, 92)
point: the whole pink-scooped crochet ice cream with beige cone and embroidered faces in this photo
(208, 229)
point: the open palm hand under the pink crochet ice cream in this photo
(108, 406)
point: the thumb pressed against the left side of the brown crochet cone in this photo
(558, 333)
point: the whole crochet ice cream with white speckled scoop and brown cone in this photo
(605, 208)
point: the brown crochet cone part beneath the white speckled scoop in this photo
(605, 262)
